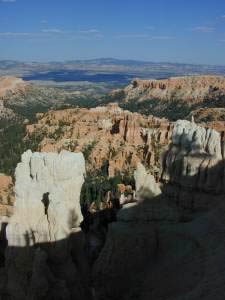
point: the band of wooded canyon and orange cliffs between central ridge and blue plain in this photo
(173, 98)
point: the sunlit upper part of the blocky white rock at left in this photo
(47, 197)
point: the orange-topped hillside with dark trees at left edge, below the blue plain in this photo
(20, 100)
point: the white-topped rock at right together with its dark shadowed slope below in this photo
(163, 248)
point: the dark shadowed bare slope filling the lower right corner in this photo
(163, 259)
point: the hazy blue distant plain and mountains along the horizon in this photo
(106, 70)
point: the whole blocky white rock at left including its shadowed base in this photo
(38, 258)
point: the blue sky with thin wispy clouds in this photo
(183, 31)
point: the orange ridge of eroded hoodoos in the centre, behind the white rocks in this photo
(109, 136)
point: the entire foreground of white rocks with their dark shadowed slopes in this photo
(166, 245)
